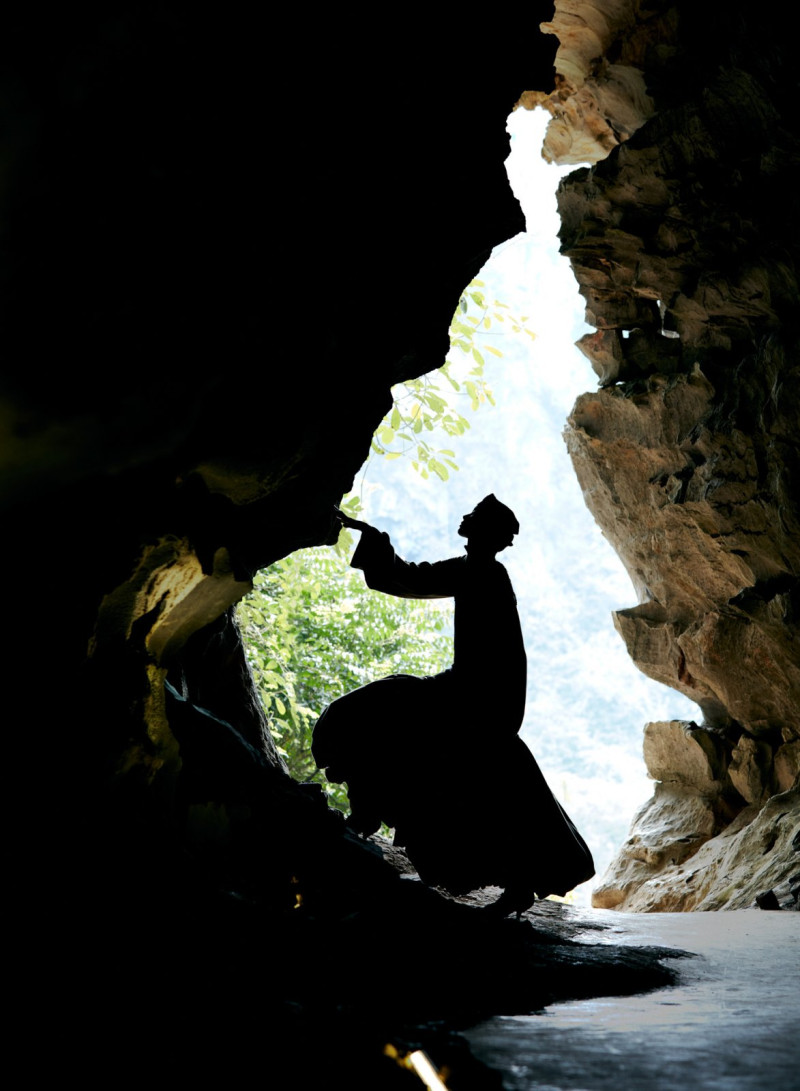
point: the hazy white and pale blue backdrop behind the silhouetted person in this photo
(588, 703)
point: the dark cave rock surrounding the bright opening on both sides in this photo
(259, 226)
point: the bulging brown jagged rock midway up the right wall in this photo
(710, 557)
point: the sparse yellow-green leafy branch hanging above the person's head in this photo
(433, 404)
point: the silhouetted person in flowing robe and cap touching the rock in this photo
(439, 758)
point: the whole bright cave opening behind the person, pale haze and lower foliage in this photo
(588, 702)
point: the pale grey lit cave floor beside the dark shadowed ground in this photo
(733, 1022)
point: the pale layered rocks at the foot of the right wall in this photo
(691, 835)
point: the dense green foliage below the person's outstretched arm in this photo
(314, 632)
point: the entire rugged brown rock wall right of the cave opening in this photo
(684, 237)
